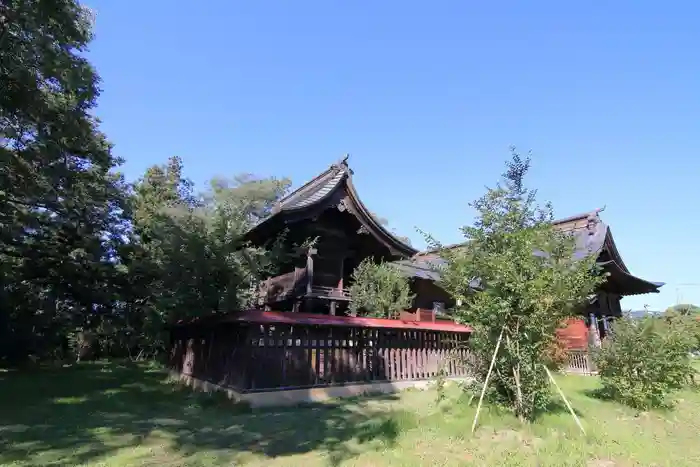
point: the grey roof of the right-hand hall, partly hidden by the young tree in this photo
(592, 236)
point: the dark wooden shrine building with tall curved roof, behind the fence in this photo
(327, 231)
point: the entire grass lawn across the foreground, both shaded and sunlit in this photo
(118, 415)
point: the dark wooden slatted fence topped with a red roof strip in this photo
(263, 351)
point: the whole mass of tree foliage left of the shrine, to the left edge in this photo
(89, 265)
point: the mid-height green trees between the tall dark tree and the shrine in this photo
(187, 257)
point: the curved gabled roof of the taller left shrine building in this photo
(335, 185)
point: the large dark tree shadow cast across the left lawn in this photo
(80, 414)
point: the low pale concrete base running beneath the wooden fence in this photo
(299, 396)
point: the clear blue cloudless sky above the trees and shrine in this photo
(426, 97)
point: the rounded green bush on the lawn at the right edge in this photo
(646, 360)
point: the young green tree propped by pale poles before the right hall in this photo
(531, 283)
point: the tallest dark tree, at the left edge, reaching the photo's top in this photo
(62, 206)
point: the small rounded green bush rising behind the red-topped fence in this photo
(379, 290)
